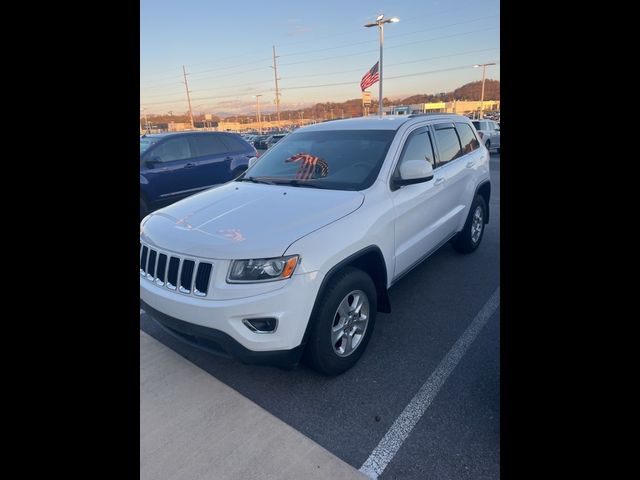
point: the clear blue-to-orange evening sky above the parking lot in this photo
(323, 50)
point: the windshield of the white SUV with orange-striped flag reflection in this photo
(333, 159)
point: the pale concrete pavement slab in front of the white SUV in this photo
(193, 426)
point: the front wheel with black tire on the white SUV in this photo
(321, 353)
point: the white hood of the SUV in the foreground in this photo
(245, 220)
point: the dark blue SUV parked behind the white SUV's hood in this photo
(176, 165)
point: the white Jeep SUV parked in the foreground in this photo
(296, 255)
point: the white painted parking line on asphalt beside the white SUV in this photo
(402, 427)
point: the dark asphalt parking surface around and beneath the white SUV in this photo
(457, 436)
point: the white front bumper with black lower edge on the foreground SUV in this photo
(201, 321)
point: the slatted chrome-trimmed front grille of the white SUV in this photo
(161, 268)
